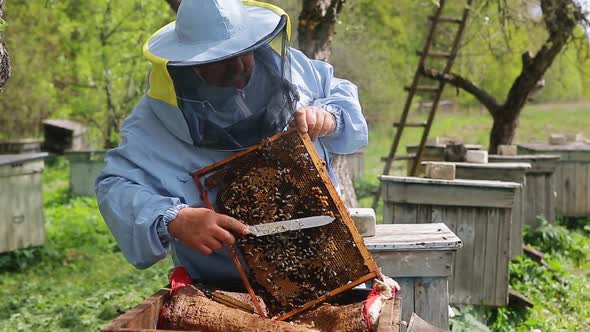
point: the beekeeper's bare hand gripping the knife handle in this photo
(205, 230)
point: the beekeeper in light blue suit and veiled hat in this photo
(223, 78)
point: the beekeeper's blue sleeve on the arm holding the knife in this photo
(131, 207)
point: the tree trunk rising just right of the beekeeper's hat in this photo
(317, 26)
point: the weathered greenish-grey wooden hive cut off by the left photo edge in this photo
(21, 206)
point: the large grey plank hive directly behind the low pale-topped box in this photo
(478, 212)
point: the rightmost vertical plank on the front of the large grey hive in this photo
(503, 258)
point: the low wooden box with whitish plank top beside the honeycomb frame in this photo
(420, 258)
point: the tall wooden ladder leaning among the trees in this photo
(434, 90)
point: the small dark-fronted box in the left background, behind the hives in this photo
(63, 135)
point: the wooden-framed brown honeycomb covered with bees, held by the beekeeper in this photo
(284, 178)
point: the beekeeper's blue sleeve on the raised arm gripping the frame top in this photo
(317, 86)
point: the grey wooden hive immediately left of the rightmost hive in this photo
(540, 195)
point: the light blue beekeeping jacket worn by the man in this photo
(150, 171)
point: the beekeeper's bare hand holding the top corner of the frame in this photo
(315, 121)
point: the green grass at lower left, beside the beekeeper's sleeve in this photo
(78, 281)
